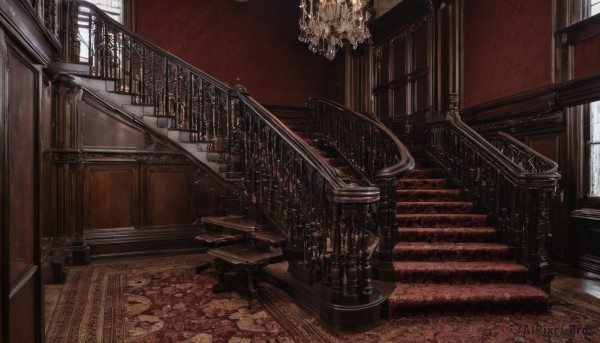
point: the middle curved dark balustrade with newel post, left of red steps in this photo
(373, 151)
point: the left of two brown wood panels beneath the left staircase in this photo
(110, 196)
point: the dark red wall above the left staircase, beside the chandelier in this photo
(256, 41)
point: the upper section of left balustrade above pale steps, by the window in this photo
(195, 101)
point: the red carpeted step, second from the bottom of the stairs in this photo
(473, 272)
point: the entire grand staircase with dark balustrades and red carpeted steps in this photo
(337, 199)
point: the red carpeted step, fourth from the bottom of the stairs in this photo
(451, 234)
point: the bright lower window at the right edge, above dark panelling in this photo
(594, 150)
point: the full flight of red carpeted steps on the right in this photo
(446, 258)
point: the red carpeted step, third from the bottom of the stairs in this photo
(424, 251)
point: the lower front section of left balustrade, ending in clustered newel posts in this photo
(327, 221)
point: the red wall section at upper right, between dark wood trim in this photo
(507, 48)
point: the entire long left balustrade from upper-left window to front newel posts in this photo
(327, 221)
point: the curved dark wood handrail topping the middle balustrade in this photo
(404, 159)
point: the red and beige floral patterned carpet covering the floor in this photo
(164, 300)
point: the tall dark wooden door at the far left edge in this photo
(21, 290)
